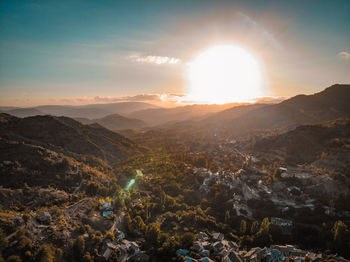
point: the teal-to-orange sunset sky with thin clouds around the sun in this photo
(80, 52)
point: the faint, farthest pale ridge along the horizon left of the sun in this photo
(85, 111)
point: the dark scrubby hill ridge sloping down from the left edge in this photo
(68, 134)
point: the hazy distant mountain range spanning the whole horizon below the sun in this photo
(228, 119)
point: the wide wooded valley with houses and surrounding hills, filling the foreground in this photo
(244, 183)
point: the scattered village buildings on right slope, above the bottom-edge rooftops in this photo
(294, 188)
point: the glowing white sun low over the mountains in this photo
(223, 74)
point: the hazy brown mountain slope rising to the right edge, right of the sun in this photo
(327, 105)
